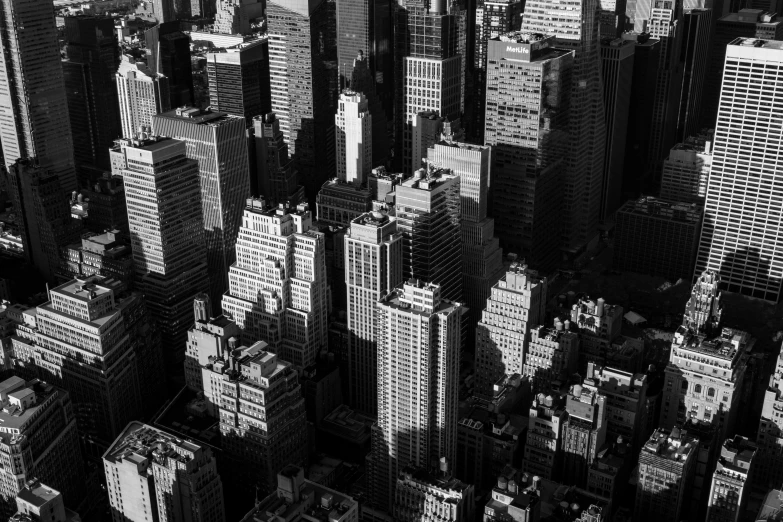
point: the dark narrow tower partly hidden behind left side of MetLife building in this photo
(493, 18)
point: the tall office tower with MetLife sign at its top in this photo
(529, 138)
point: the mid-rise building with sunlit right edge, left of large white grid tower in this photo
(687, 170)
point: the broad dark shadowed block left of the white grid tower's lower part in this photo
(657, 237)
